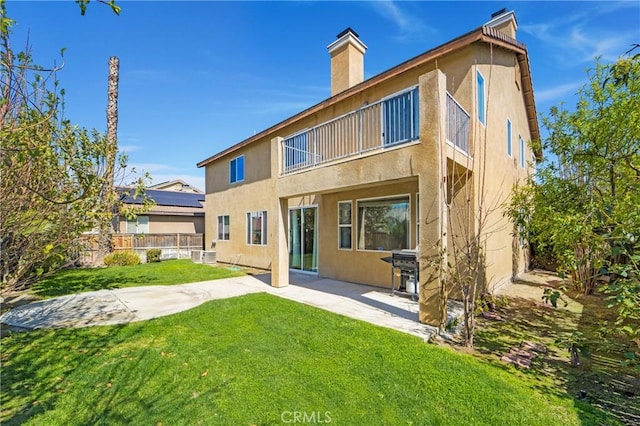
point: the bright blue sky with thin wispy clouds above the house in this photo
(198, 77)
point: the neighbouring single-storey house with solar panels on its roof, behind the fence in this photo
(174, 212)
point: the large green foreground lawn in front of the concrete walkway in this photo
(259, 360)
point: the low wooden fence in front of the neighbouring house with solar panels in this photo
(172, 245)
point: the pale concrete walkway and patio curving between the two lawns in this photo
(108, 307)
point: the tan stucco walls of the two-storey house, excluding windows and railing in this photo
(409, 168)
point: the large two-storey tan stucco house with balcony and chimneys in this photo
(338, 186)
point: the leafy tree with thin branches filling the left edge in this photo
(53, 173)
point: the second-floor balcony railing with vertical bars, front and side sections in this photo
(389, 122)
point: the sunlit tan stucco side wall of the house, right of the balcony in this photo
(505, 101)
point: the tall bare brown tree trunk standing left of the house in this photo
(105, 245)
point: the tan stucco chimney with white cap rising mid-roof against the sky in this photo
(347, 61)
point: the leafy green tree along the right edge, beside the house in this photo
(583, 206)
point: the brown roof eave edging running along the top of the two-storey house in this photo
(483, 34)
